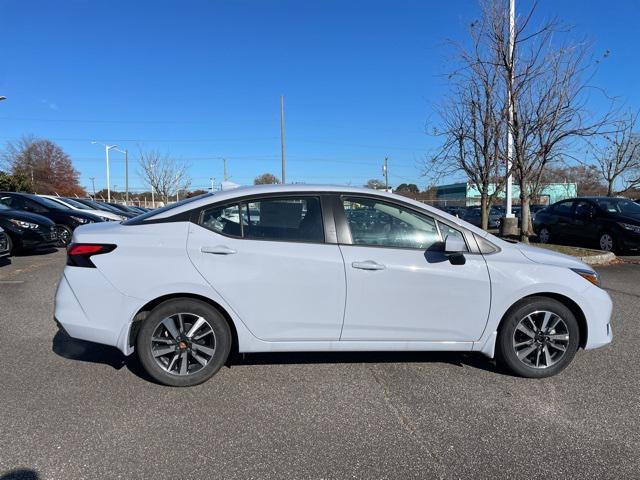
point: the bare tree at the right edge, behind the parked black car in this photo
(617, 156)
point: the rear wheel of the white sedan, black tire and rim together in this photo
(170, 368)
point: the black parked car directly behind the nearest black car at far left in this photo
(65, 220)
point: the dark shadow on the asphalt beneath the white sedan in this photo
(83, 351)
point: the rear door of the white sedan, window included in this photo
(270, 260)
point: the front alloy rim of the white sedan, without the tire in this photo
(541, 339)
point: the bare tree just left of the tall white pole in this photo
(471, 121)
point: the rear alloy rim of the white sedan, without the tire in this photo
(183, 344)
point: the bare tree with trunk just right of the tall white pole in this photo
(547, 81)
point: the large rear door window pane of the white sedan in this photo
(294, 219)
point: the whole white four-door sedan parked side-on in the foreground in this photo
(322, 269)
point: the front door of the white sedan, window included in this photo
(400, 285)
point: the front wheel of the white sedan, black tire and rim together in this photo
(538, 353)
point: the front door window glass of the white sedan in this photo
(377, 223)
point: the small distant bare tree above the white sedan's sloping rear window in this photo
(162, 173)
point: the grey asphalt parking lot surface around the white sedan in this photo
(76, 410)
